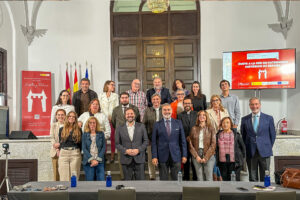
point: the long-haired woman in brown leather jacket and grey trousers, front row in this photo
(202, 145)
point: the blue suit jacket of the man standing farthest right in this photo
(263, 140)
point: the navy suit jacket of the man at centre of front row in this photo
(162, 145)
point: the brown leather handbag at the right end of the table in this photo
(291, 178)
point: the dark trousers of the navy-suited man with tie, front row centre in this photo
(164, 168)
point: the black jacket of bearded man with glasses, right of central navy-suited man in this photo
(186, 122)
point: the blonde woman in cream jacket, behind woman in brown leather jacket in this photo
(216, 111)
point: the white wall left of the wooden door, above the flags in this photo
(78, 31)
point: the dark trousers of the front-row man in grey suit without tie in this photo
(134, 171)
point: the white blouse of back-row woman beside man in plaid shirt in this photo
(107, 104)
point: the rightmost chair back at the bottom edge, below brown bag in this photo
(276, 195)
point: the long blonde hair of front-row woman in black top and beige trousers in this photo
(76, 136)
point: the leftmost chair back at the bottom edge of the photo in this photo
(49, 195)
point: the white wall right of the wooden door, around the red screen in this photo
(233, 26)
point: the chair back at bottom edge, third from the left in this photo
(198, 193)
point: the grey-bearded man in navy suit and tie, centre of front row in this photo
(169, 148)
